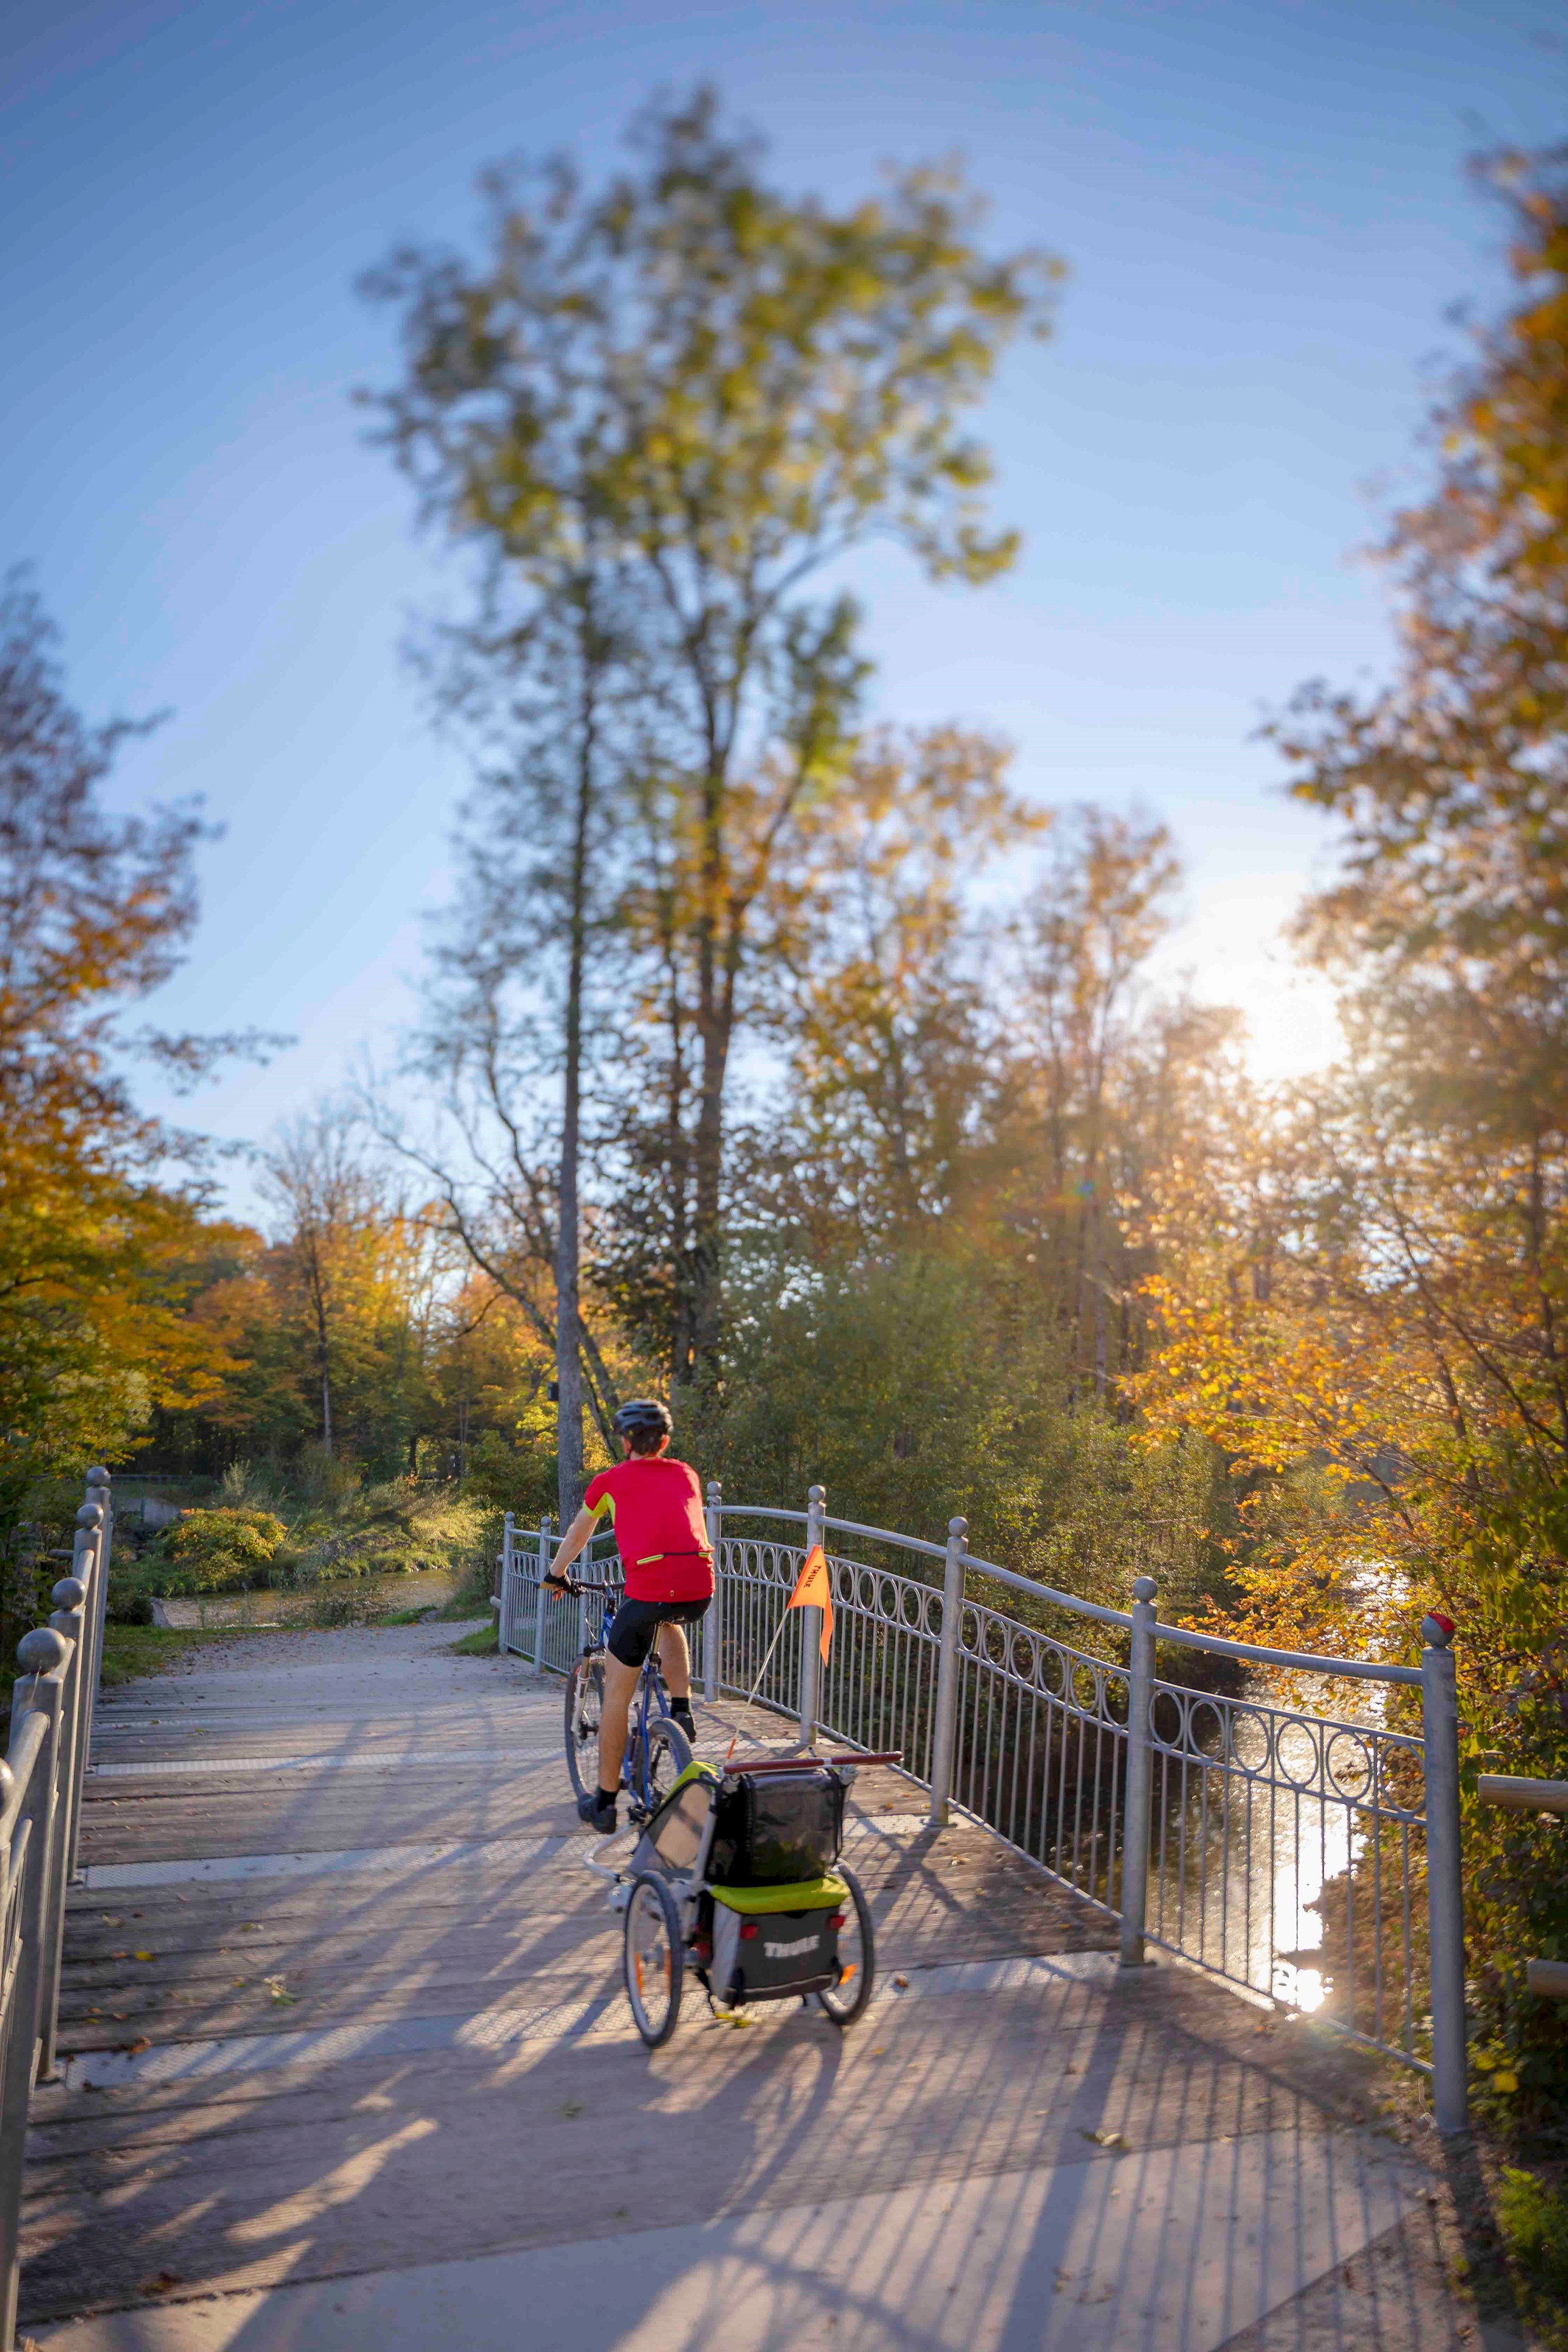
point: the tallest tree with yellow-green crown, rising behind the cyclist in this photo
(721, 392)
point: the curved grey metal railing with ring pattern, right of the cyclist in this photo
(1304, 1855)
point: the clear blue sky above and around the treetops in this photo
(1266, 220)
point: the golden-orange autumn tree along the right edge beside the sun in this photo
(1372, 1309)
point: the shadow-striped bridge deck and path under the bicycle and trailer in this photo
(349, 2066)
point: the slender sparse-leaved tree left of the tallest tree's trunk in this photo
(518, 970)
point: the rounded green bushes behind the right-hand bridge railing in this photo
(918, 1391)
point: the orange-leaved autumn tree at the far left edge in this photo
(95, 1236)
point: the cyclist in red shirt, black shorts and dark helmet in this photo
(657, 1511)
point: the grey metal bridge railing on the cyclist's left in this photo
(41, 1817)
